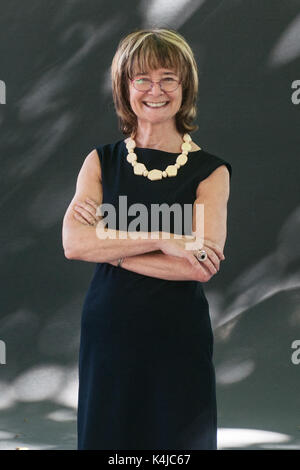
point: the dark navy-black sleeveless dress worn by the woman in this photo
(146, 373)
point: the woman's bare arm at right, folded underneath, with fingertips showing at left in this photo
(213, 193)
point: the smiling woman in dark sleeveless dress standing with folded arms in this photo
(146, 375)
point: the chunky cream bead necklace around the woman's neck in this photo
(171, 170)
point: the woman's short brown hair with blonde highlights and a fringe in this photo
(150, 49)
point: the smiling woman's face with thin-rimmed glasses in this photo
(138, 99)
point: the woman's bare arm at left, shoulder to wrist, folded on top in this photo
(80, 241)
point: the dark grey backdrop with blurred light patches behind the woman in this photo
(55, 63)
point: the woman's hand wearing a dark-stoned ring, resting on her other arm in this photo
(179, 247)
